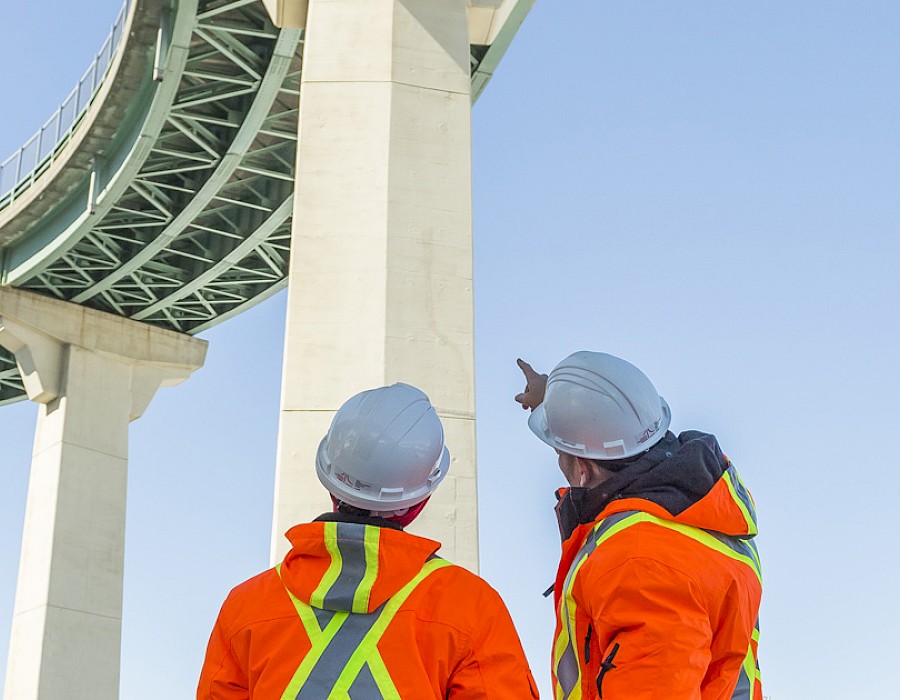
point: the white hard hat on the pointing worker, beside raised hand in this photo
(600, 407)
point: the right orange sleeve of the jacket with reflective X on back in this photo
(494, 667)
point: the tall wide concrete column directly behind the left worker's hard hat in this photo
(381, 266)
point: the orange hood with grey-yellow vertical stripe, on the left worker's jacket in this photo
(349, 563)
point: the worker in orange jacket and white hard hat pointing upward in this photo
(658, 589)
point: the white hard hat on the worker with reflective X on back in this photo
(384, 450)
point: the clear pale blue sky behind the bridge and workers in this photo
(709, 189)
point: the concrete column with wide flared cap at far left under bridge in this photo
(91, 373)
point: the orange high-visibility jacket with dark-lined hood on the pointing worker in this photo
(657, 594)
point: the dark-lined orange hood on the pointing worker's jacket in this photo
(686, 479)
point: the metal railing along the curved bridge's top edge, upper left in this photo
(23, 167)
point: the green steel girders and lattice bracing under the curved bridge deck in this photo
(186, 218)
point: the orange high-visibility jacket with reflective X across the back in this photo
(361, 610)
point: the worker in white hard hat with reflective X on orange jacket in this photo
(359, 608)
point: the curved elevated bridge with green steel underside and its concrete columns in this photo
(160, 199)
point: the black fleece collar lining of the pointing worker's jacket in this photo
(675, 473)
